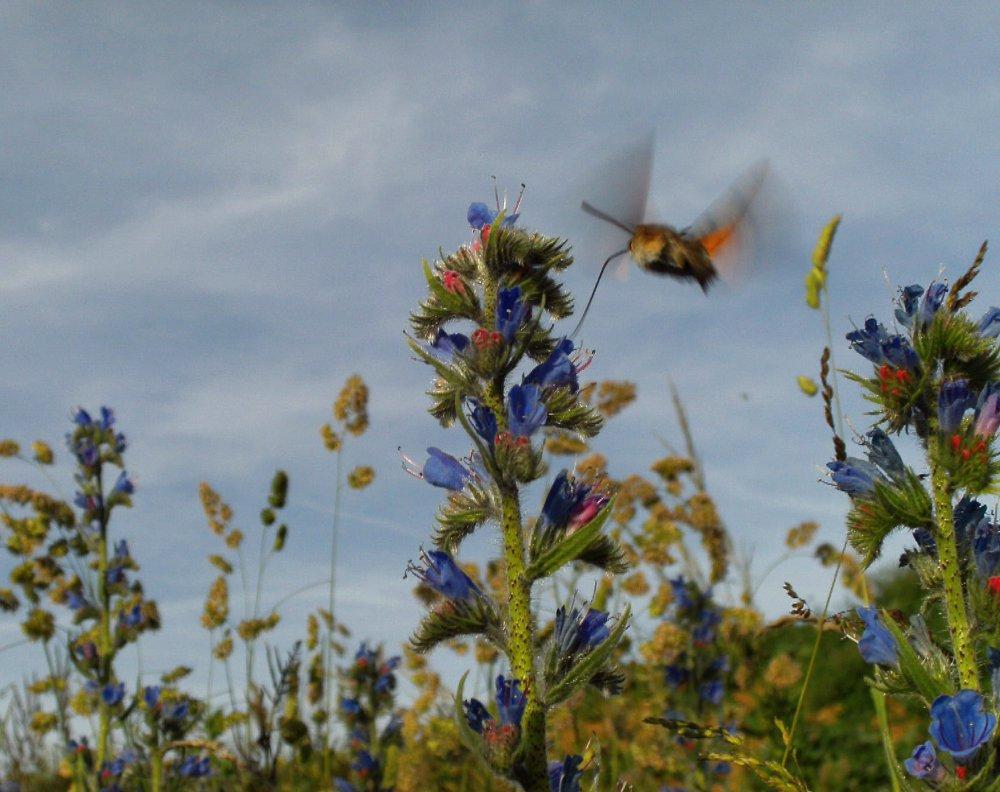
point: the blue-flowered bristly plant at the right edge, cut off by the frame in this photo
(935, 375)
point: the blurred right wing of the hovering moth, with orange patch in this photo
(728, 227)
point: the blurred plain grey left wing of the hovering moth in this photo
(619, 188)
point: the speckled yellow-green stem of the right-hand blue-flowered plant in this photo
(951, 575)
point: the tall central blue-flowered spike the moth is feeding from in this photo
(503, 377)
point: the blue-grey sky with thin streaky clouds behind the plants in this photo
(212, 214)
